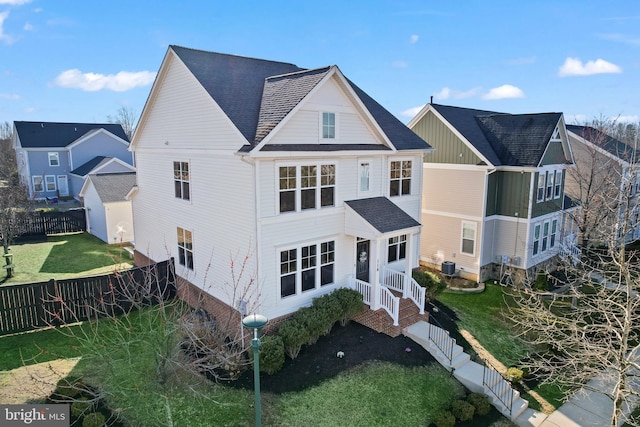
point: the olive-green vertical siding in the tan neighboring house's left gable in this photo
(448, 147)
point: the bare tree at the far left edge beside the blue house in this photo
(14, 198)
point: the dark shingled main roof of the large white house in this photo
(257, 94)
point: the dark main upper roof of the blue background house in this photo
(50, 134)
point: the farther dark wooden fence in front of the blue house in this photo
(39, 224)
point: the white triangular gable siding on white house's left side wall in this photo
(182, 115)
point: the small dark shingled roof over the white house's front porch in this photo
(384, 215)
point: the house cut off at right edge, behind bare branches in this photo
(606, 183)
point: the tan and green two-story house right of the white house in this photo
(493, 191)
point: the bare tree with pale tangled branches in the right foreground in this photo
(589, 337)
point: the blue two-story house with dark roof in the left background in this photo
(54, 158)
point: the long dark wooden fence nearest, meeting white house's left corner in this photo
(57, 302)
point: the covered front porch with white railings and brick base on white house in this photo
(386, 249)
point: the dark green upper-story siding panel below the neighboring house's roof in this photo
(508, 193)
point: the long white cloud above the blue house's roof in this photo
(91, 82)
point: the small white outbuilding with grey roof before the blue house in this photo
(106, 198)
